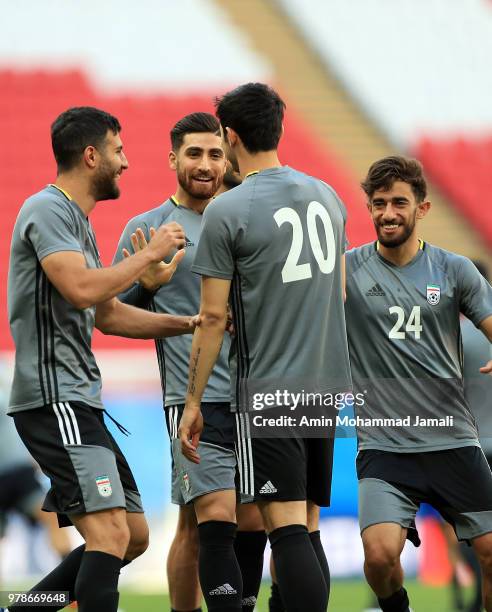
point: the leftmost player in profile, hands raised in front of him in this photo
(57, 292)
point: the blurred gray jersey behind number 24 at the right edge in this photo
(477, 351)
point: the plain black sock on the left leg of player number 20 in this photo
(300, 590)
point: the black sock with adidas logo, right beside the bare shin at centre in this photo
(220, 576)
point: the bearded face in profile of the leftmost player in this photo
(111, 163)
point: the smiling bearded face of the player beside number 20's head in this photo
(200, 164)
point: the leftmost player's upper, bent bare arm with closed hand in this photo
(84, 287)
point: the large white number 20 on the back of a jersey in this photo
(292, 270)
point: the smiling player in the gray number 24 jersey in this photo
(417, 437)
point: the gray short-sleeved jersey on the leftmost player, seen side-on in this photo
(53, 360)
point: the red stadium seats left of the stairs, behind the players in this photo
(32, 99)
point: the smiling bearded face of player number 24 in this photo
(394, 213)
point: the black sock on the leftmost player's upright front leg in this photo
(96, 588)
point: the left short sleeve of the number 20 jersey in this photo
(215, 252)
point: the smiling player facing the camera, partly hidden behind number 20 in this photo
(198, 159)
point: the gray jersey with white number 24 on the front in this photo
(405, 347)
